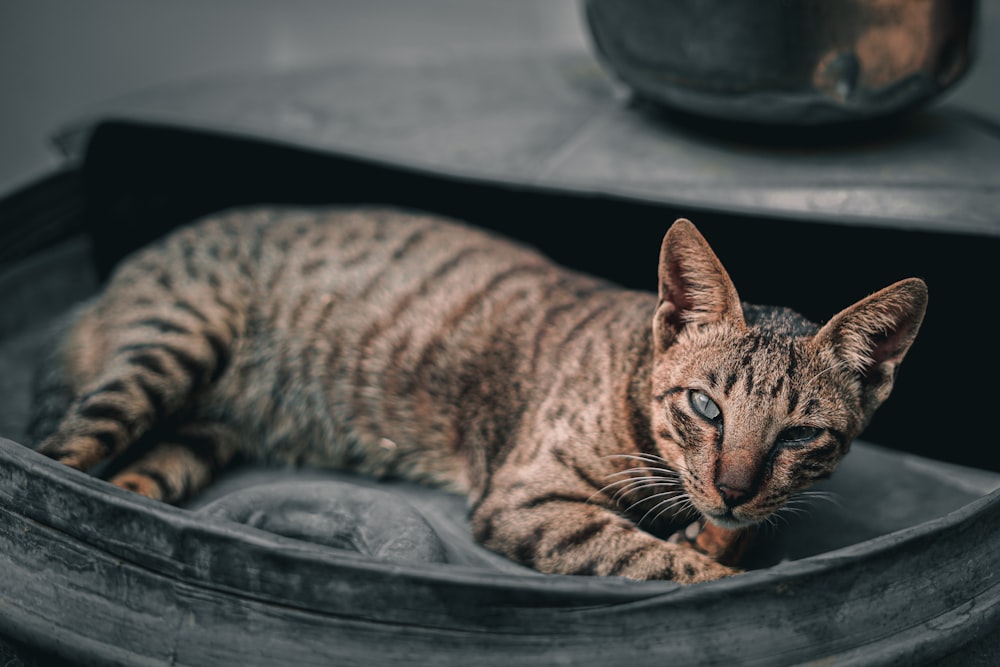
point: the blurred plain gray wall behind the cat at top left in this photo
(58, 57)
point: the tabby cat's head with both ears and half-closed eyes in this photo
(752, 409)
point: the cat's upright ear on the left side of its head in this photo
(694, 286)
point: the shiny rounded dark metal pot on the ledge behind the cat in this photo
(803, 62)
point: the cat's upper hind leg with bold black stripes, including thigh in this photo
(131, 362)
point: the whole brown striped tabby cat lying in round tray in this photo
(595, 430)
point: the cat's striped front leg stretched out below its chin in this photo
(560, 531)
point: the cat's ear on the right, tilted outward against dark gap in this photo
(874, 335)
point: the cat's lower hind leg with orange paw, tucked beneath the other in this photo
(181, 463)
